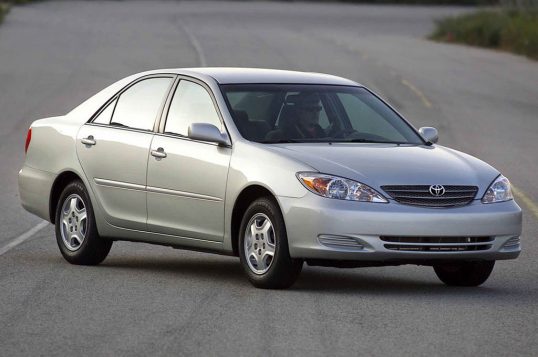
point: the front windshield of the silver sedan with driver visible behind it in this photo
(273, 113)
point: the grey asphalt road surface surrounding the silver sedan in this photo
(152, 300)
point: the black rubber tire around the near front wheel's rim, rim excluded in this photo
(283, 271)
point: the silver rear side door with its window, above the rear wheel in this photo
(113, 150)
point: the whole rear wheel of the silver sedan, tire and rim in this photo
(76, 231)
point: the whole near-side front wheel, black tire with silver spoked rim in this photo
(263, 247)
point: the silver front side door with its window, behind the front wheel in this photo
(187, 178)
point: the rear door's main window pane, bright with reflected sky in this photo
(139, 105)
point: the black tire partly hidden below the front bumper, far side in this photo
(464, 273)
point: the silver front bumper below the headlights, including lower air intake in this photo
(322, 228)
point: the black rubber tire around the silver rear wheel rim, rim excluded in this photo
(93, 249)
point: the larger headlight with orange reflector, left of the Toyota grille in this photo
(339, 188)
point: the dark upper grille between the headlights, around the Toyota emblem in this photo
(419, 195)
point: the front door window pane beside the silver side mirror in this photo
(191, 104)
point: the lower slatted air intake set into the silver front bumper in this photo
(437, 244)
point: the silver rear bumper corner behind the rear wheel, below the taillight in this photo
(34, 190)
